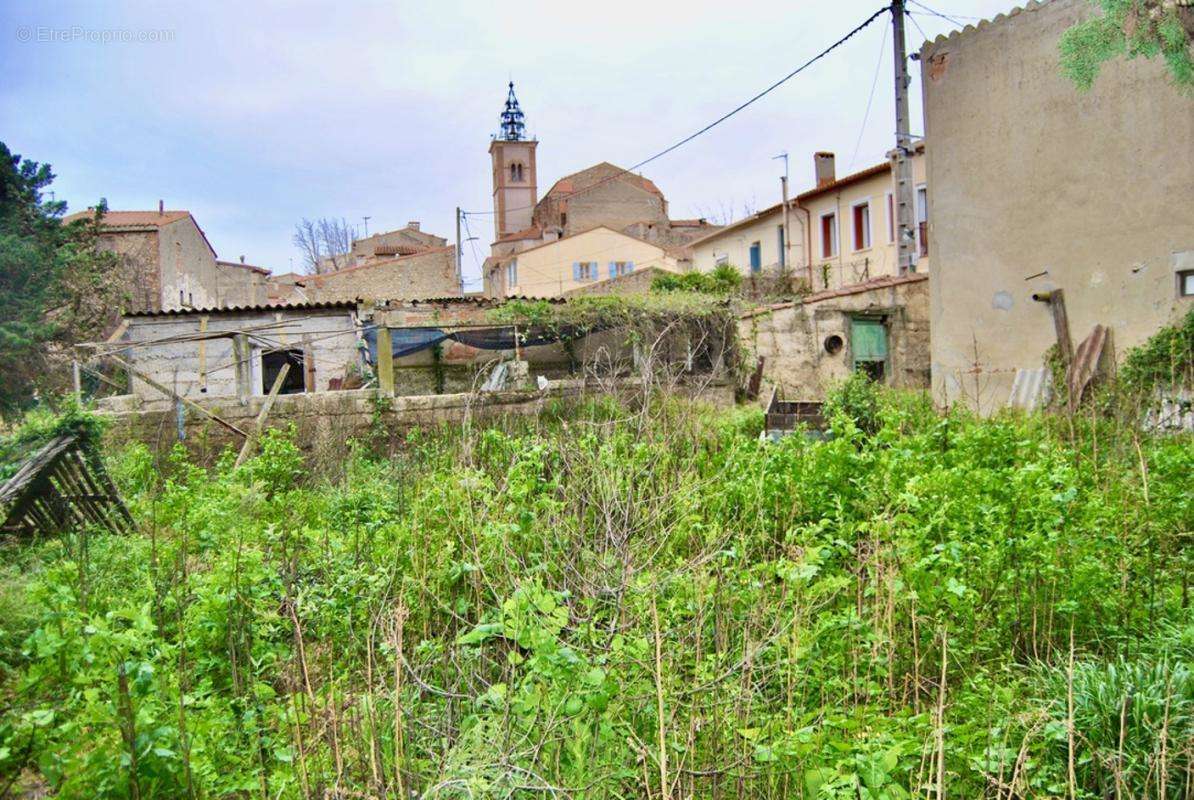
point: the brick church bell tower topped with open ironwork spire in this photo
(515, 192)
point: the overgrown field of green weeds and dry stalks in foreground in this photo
(625, 602)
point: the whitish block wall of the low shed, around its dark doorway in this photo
(193, 366)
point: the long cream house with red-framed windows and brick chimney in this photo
(840, 233)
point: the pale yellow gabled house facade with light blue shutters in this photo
(556, 268)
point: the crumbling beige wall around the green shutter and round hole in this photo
(791, 337)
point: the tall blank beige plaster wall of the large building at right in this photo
(1036, 186)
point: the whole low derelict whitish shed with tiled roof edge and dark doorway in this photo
(238, 353)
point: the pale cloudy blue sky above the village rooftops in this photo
(256, 115)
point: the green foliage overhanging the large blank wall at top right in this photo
(1130, 29)
